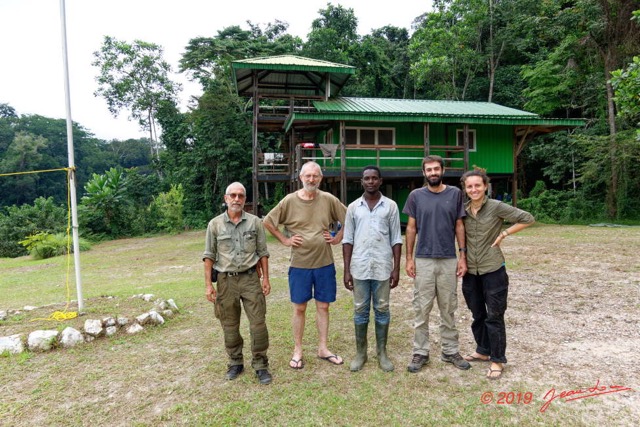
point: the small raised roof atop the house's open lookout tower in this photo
(289, 75)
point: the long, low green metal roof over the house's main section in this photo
(427, 111)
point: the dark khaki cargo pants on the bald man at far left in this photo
(232, 290)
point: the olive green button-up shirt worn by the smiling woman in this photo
(483, 229)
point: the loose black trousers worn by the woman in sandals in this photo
(486, 297)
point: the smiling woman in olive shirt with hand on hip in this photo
(486, 285)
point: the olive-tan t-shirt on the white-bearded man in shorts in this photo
(308, 218)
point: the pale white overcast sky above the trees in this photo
(31, 55)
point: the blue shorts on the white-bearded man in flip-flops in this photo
(307, 283)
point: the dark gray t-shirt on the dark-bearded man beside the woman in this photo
(436, 215)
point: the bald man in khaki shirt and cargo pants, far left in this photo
(236, 251)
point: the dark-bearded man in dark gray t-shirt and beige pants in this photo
(435, 216)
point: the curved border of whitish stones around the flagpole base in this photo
(45, 340)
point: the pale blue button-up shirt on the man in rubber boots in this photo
(372, 233)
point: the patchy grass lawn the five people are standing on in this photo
(174, 374)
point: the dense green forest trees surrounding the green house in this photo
(557, 58)
